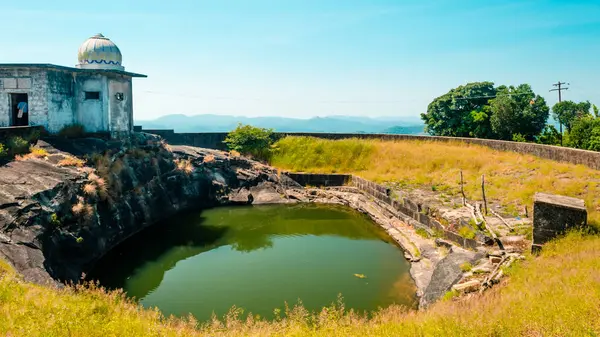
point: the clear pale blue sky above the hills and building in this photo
(316, 57)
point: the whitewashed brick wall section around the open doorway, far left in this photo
(34, 83)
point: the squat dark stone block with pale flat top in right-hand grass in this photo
(554, 214)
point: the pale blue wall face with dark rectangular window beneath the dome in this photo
(92, 113)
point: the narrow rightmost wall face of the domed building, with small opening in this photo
(120, 111)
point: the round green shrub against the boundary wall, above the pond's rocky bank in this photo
(250, 141)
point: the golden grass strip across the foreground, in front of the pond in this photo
(556, 294)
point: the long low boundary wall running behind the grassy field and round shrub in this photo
(214, 140)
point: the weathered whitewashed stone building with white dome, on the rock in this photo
(96, 93)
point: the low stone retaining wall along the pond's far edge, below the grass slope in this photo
(417, 211)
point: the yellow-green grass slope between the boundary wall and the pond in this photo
(511, 179)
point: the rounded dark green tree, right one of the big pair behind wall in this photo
(518, 110)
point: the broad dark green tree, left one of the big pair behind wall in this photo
(462, 112)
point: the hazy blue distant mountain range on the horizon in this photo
(334, 124)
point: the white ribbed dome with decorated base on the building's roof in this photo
(98, 52)
